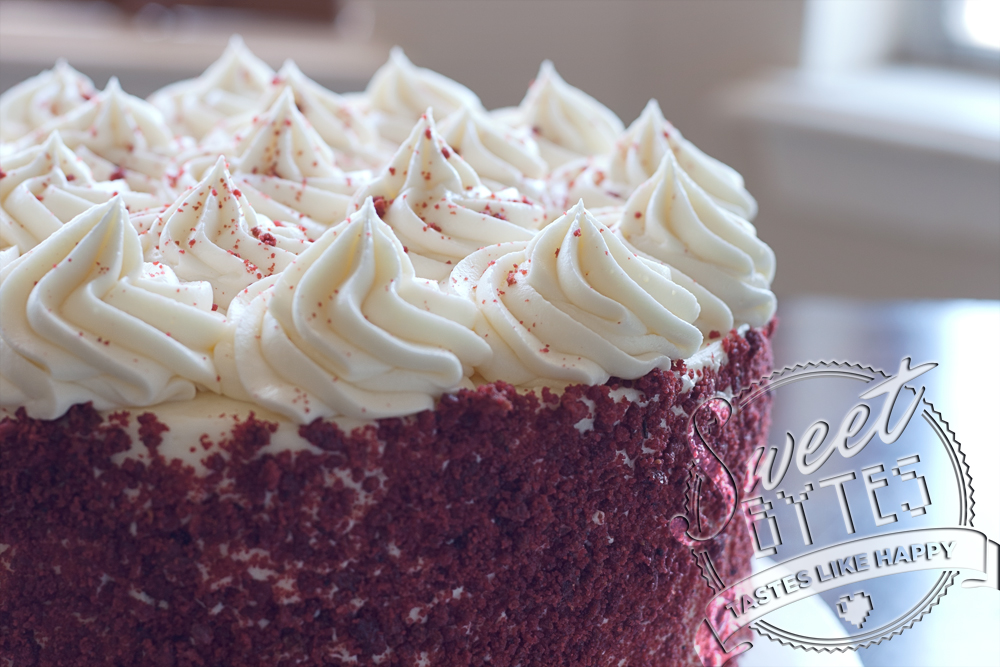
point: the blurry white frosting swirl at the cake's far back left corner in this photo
(33, 103)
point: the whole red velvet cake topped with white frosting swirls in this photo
(295, 378)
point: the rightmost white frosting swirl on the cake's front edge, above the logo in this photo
(674, 220)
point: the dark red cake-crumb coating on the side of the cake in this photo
(495, 529)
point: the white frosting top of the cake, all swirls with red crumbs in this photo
(250, 234)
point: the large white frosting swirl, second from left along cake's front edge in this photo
(349, 330)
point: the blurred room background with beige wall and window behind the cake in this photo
(869, 130)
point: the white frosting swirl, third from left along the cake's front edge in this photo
(574, 305)
